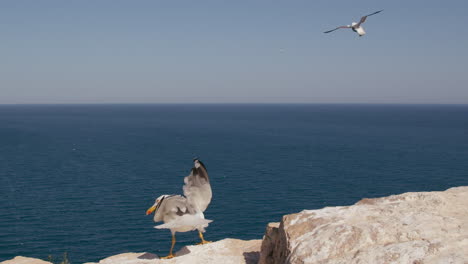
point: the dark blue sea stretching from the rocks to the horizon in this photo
(79, 178)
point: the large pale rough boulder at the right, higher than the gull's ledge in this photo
(416, 228)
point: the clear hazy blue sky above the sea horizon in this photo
(232, 51)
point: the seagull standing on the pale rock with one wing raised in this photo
(183, 214)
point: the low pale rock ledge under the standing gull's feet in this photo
(226, 251)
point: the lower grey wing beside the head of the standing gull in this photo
(171, 207)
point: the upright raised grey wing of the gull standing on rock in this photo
(197, 187)
